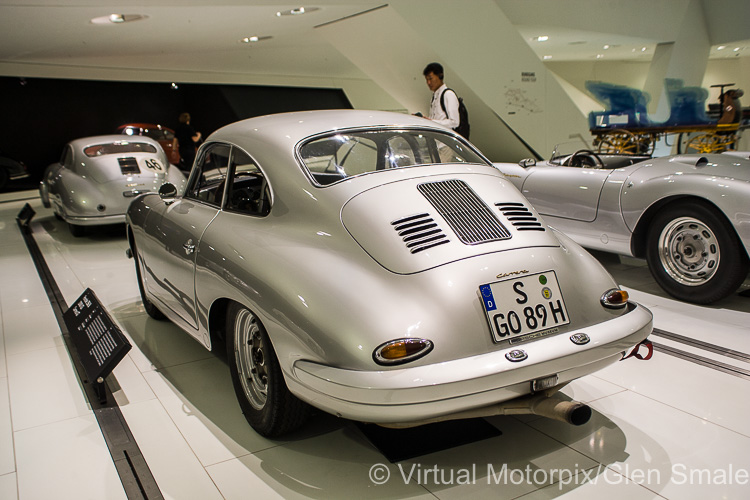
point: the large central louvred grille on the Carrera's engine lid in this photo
(470, 218)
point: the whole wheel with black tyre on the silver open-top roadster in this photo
(694, 253)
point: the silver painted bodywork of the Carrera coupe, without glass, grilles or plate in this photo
(330, 278)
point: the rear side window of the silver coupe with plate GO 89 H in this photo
(248, 189)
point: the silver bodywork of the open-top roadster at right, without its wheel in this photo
(601, 208)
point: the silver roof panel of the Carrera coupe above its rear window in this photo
(287, 129)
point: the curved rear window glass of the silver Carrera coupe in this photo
(334, 157)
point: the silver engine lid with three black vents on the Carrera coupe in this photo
(417, 224)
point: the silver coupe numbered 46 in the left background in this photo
(97, 178)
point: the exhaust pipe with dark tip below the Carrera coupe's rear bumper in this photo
(545, 404)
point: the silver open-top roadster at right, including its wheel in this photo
(687, 215)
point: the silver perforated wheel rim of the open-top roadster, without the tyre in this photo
(689, 251)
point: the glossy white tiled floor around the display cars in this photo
(664, 428)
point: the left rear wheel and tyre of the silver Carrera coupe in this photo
(265, 400)
